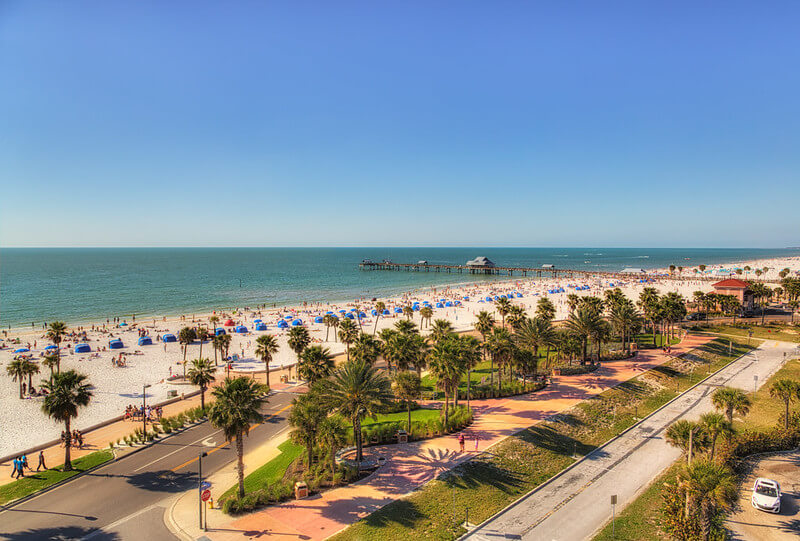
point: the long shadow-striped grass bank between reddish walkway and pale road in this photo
(487, 484)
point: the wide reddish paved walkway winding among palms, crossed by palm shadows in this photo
(411, 465)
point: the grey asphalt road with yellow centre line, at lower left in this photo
(126, 499)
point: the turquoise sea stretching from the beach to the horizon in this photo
(85, 284)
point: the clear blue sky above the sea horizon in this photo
(399, 123)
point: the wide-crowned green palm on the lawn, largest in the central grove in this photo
(356, 390)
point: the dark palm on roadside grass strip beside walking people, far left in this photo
(67, 391)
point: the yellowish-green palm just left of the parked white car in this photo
(708, 487)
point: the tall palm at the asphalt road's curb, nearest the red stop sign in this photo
(237, 406)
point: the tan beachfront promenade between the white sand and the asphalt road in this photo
(98, 439)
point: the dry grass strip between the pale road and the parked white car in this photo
(640, 520)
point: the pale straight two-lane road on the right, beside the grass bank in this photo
(575, 505)
